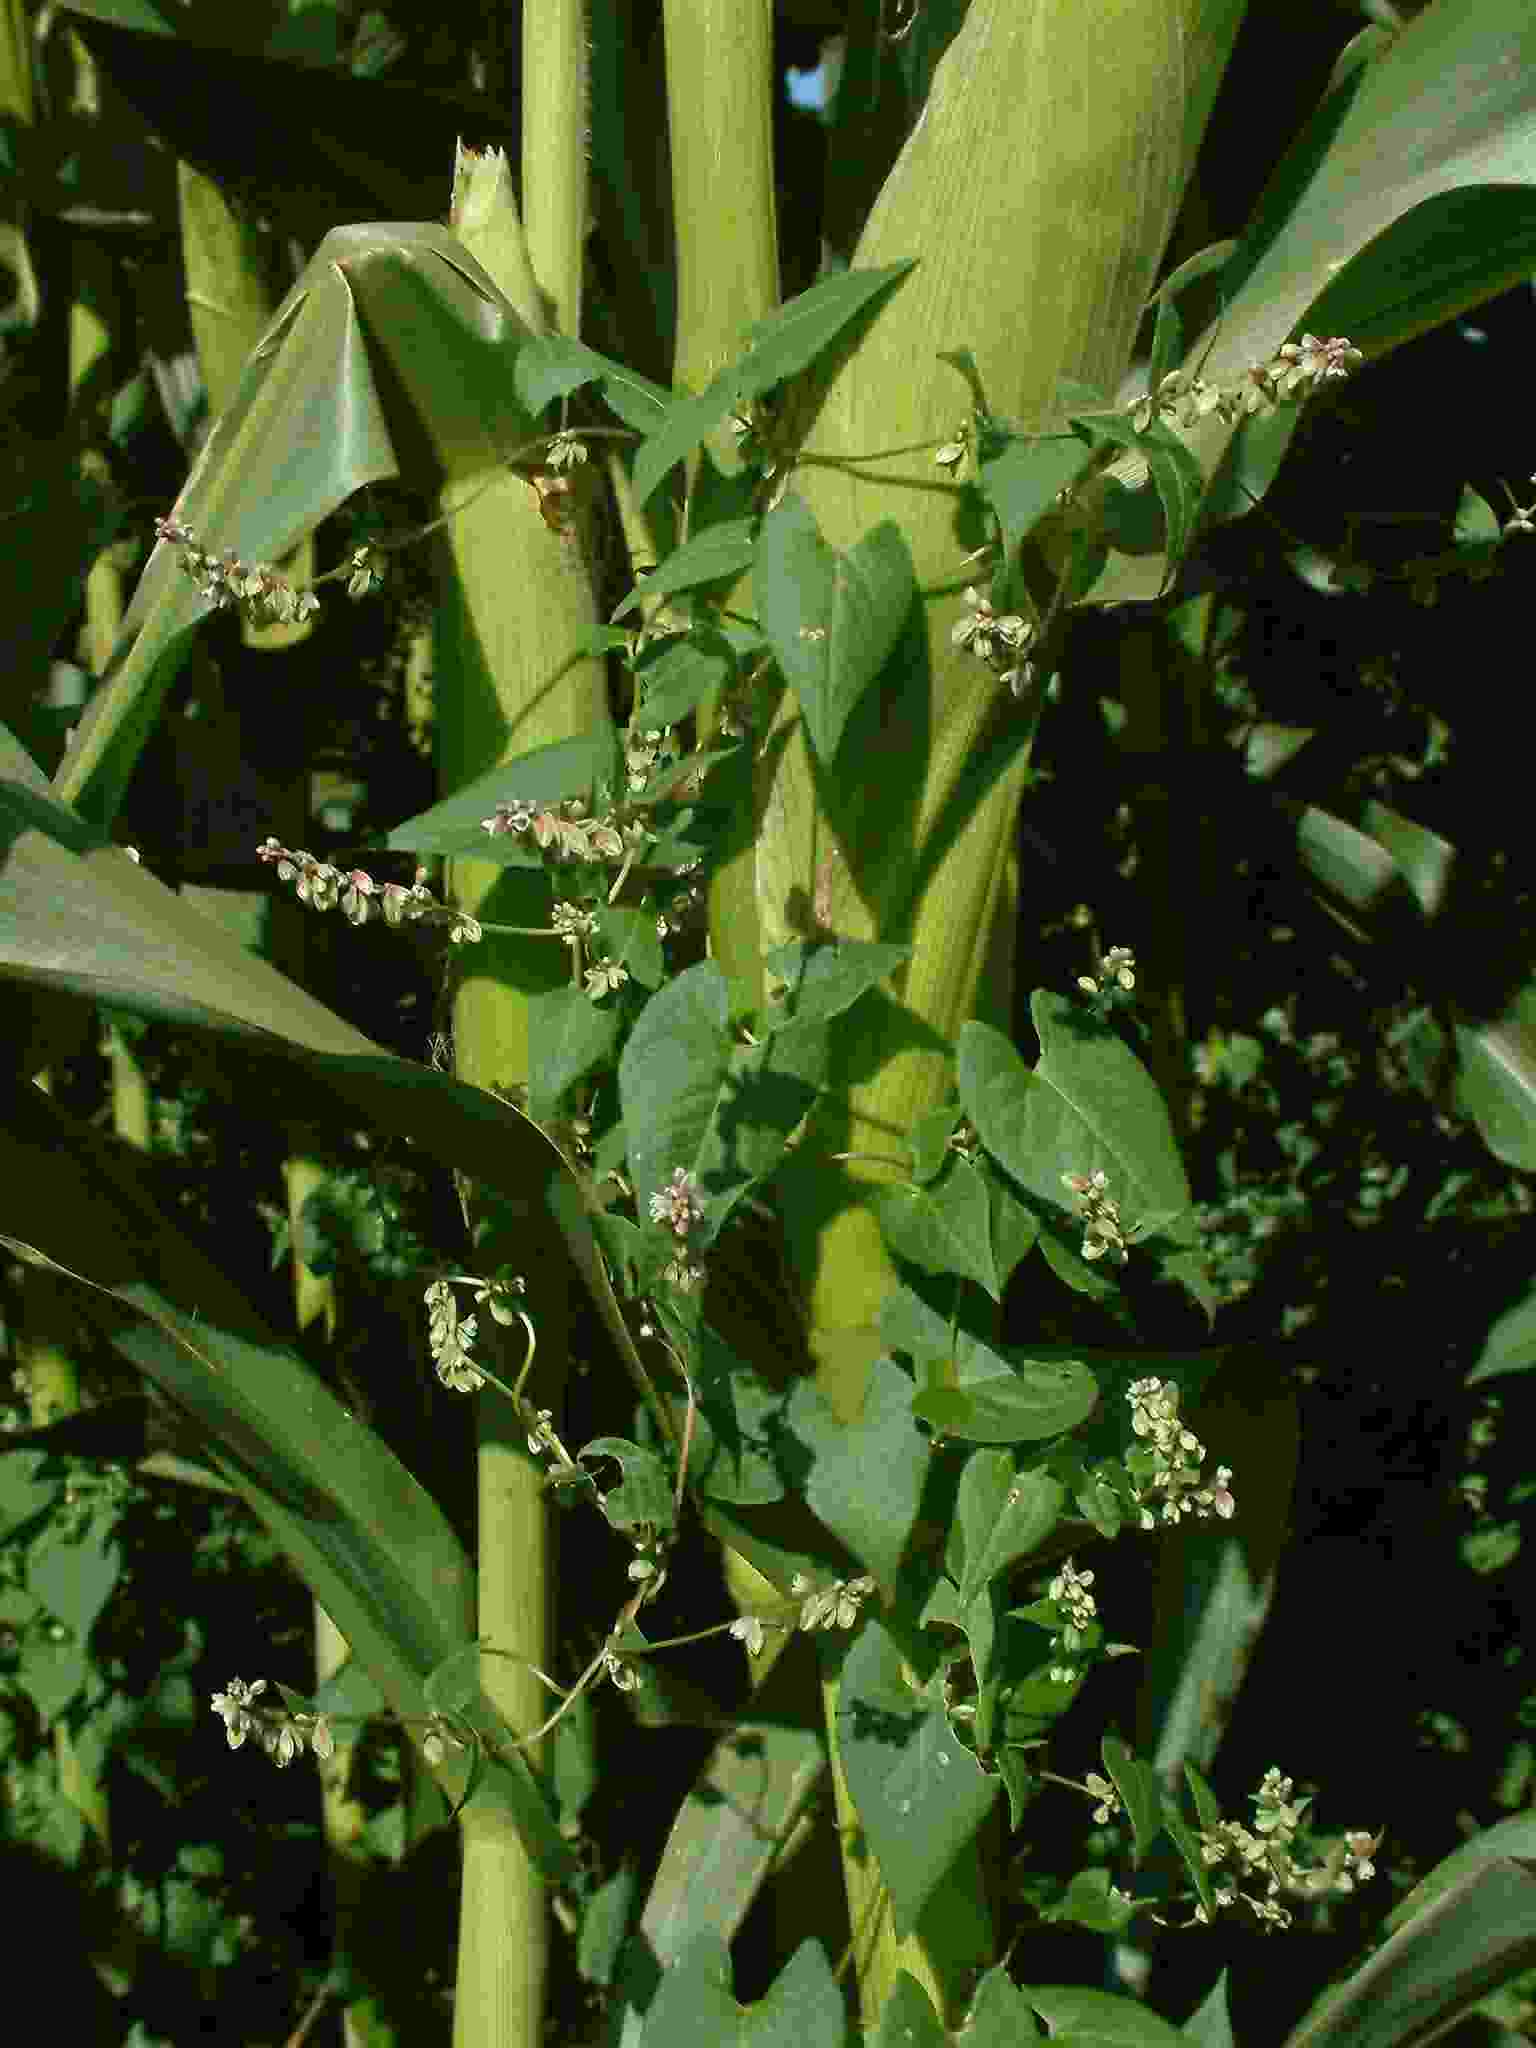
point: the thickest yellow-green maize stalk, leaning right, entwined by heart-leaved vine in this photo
(1037, 194)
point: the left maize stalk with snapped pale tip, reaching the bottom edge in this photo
(515, 599)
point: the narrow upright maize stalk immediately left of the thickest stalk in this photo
(720, 122)
